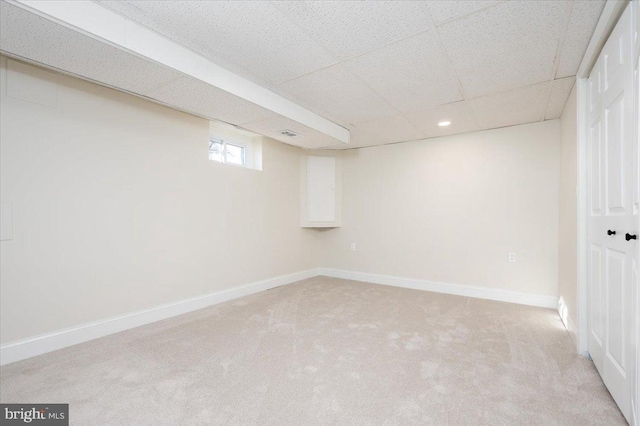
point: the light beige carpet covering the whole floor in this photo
(327, 351)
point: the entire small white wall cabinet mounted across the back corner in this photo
(321, 191)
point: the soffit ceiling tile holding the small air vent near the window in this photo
(308, 137)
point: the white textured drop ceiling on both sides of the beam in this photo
(388, 71)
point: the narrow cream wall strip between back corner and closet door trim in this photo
(567, 226)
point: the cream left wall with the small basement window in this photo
(117, 208)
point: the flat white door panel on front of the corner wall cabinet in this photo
(321, 181)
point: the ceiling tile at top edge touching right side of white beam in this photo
(252, 35)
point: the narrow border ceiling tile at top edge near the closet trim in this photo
(582, 22)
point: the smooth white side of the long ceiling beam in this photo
(105, 25)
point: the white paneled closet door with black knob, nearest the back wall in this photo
(613, 215)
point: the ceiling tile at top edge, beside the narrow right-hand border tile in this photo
(510, 45)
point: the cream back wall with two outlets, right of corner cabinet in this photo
(451, 209)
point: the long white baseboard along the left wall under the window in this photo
(23, 349)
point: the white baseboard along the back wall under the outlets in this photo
(438, 287)
